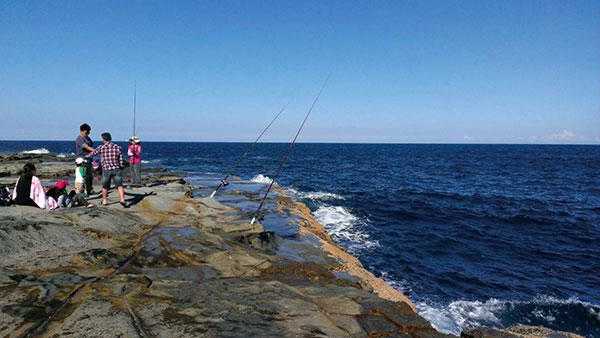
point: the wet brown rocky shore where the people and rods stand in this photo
(175, 265)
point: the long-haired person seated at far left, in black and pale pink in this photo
(28, 189)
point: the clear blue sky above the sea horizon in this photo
(403, 71)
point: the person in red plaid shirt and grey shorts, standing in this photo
(111, 159)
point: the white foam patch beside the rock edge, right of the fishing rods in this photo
(342, 225)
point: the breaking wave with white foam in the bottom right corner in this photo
(571, 314)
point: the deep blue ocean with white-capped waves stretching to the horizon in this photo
(474, 234)
